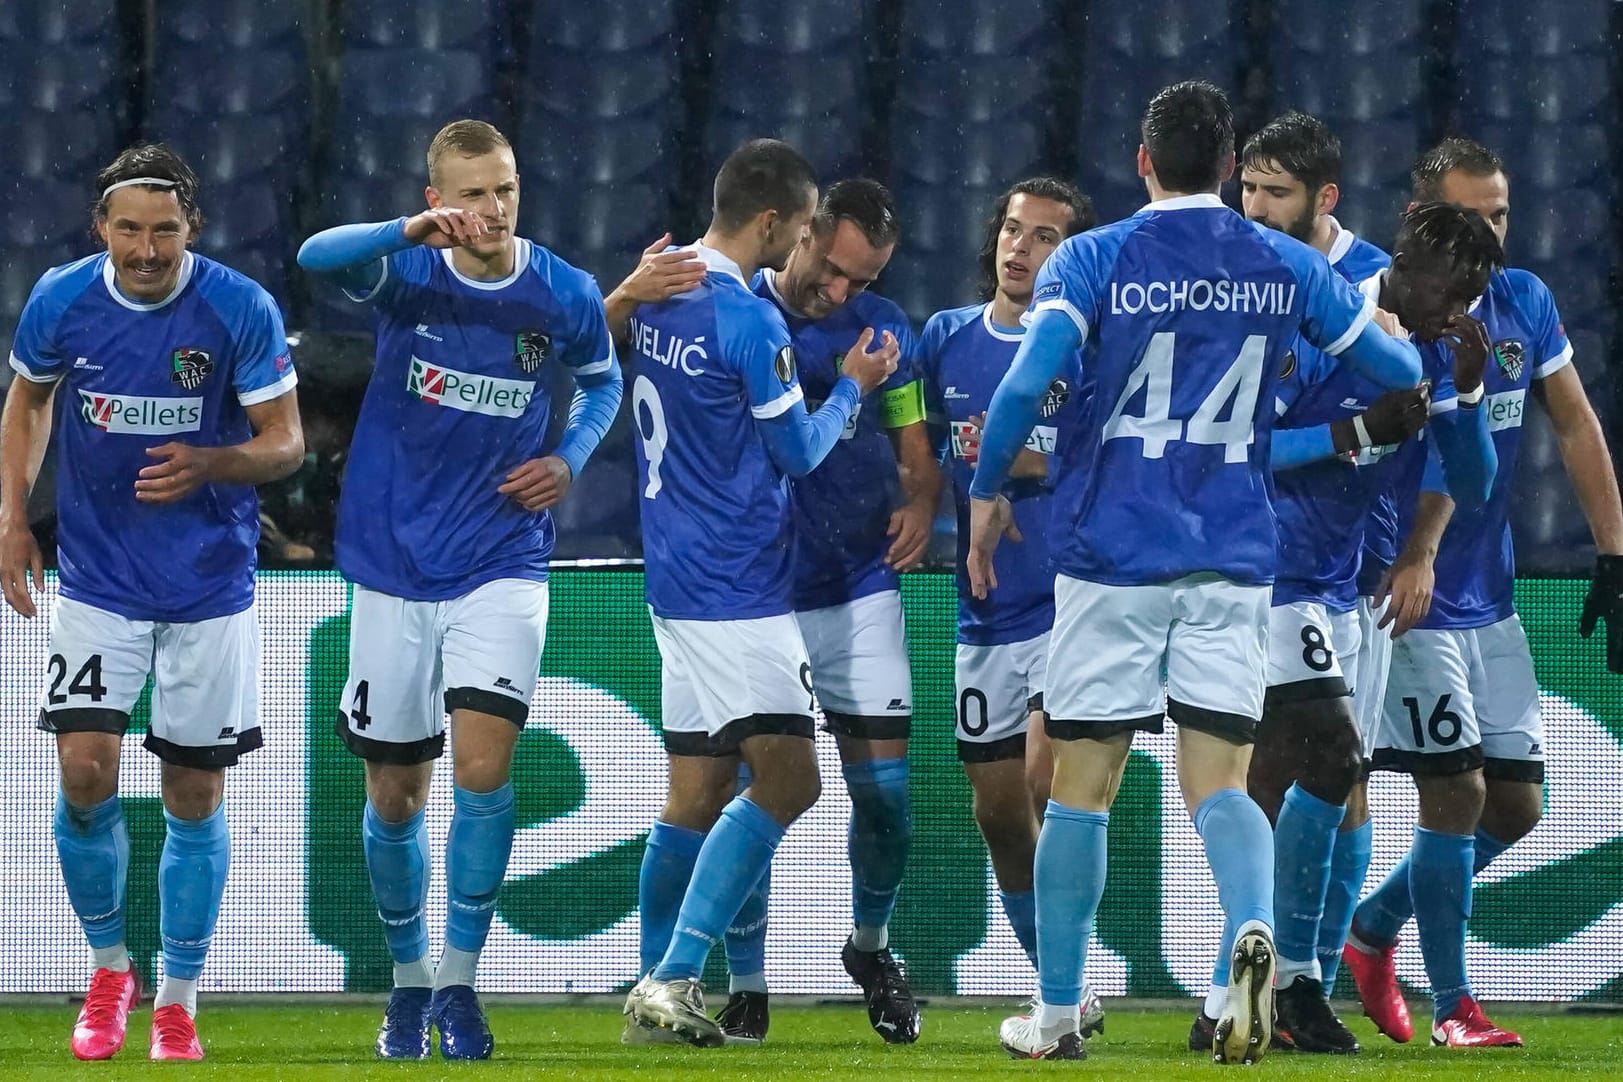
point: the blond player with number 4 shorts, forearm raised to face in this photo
(446, 531)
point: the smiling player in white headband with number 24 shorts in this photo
(174, 395)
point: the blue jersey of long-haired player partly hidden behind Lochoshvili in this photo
(965, 356)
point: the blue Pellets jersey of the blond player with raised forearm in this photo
(457, 401)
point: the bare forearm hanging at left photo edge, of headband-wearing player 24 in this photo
(25, 431)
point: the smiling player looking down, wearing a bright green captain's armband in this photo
(859, 518)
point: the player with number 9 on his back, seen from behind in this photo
(723, 426)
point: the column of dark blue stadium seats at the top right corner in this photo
(1536, 85)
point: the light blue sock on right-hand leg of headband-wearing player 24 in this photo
(191, 883)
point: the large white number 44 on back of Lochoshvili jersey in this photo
(1236, 395)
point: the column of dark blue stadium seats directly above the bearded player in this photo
(1363, 72)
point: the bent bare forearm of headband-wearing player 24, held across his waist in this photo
(273, 453)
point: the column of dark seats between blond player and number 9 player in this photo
(598, 135)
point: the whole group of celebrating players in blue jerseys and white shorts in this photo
(1244, 473)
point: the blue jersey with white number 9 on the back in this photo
(717, 520)
